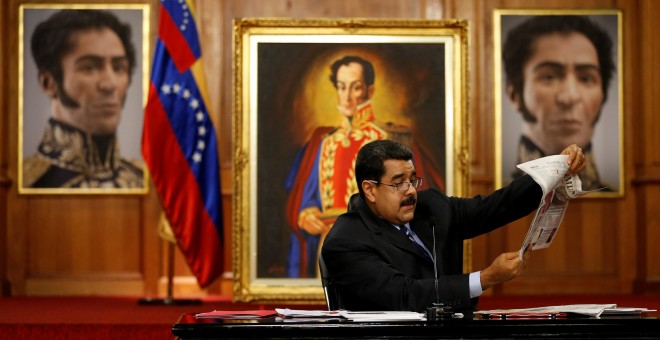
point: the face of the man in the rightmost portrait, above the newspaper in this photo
(562, 91)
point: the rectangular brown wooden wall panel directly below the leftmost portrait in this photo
(92, 232)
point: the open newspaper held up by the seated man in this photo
(558, 189)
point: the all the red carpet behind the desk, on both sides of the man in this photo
(122, 317)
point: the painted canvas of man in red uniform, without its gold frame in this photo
(322, 103)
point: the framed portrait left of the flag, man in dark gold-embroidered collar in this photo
(81, 100)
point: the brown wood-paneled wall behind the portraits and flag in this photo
(108, 245)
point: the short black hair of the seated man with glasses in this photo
(370, 161)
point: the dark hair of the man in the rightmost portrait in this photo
(517, 48)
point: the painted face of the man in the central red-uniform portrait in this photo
(351, 88)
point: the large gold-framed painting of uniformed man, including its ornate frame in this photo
(307, 95)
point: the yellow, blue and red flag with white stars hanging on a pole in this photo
(179, 142)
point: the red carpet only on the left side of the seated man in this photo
(100, 317)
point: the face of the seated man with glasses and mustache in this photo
(396, 207)
